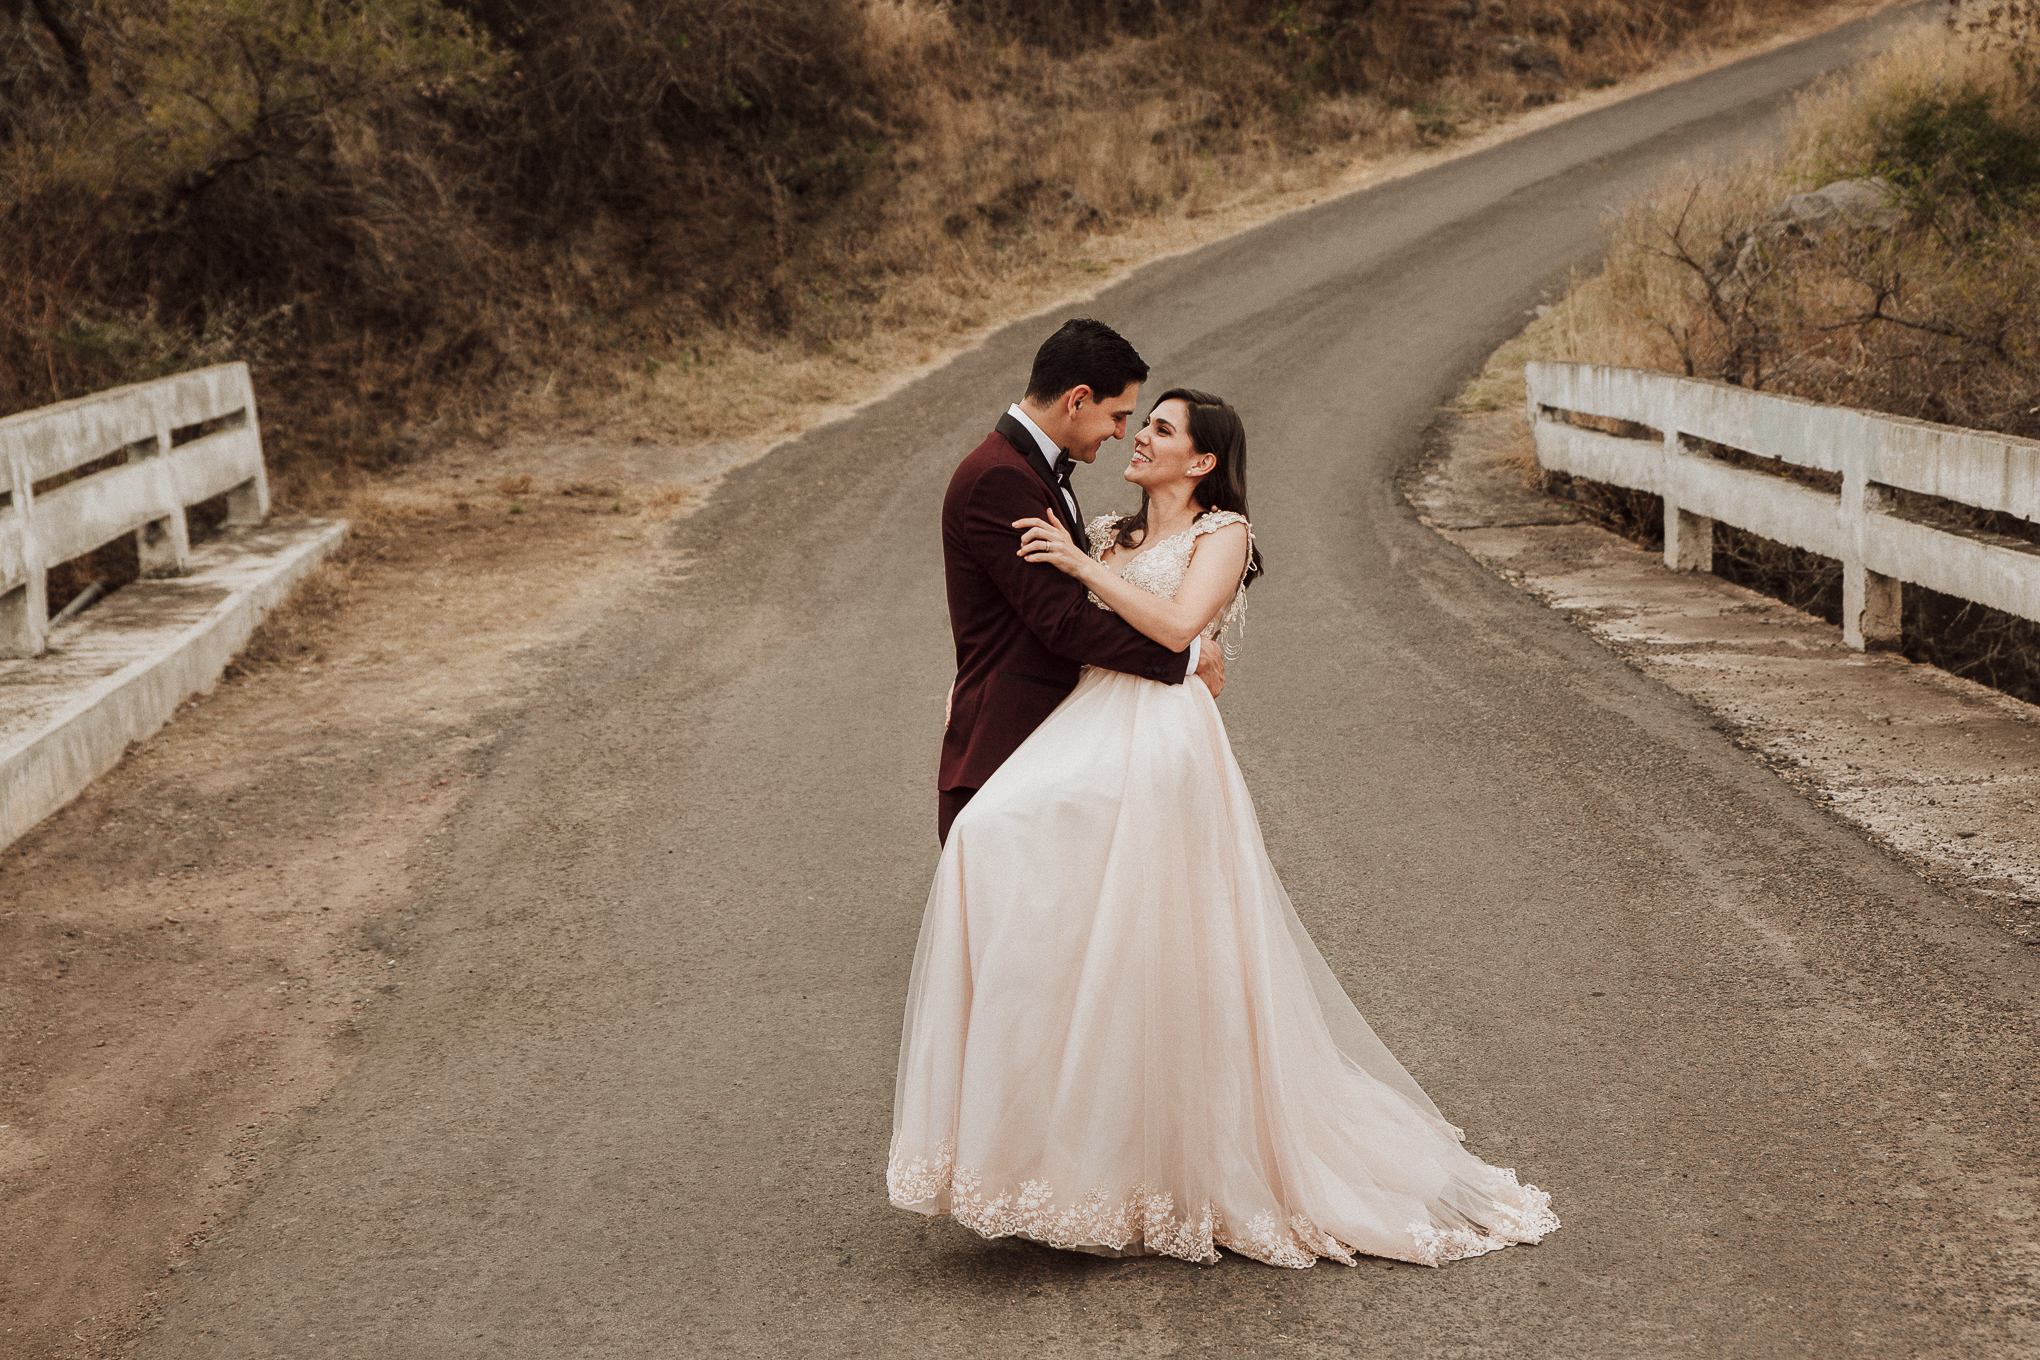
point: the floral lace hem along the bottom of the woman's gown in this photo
(1143, 1220)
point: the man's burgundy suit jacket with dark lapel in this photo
(1023, 629)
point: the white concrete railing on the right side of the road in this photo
(1878, 541)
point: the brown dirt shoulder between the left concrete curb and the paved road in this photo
(191, 949)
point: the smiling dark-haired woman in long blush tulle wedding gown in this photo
(1119, 1037)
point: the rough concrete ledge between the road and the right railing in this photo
(1935, 770)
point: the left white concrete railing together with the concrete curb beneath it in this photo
(76, 692)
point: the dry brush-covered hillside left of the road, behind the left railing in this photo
(611, 217)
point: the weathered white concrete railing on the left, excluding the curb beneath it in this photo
(170, 443)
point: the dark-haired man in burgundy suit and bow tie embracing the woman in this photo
(1025, 629)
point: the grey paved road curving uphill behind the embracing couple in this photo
(635, 1096)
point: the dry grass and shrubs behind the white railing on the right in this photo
(1929, 311)
